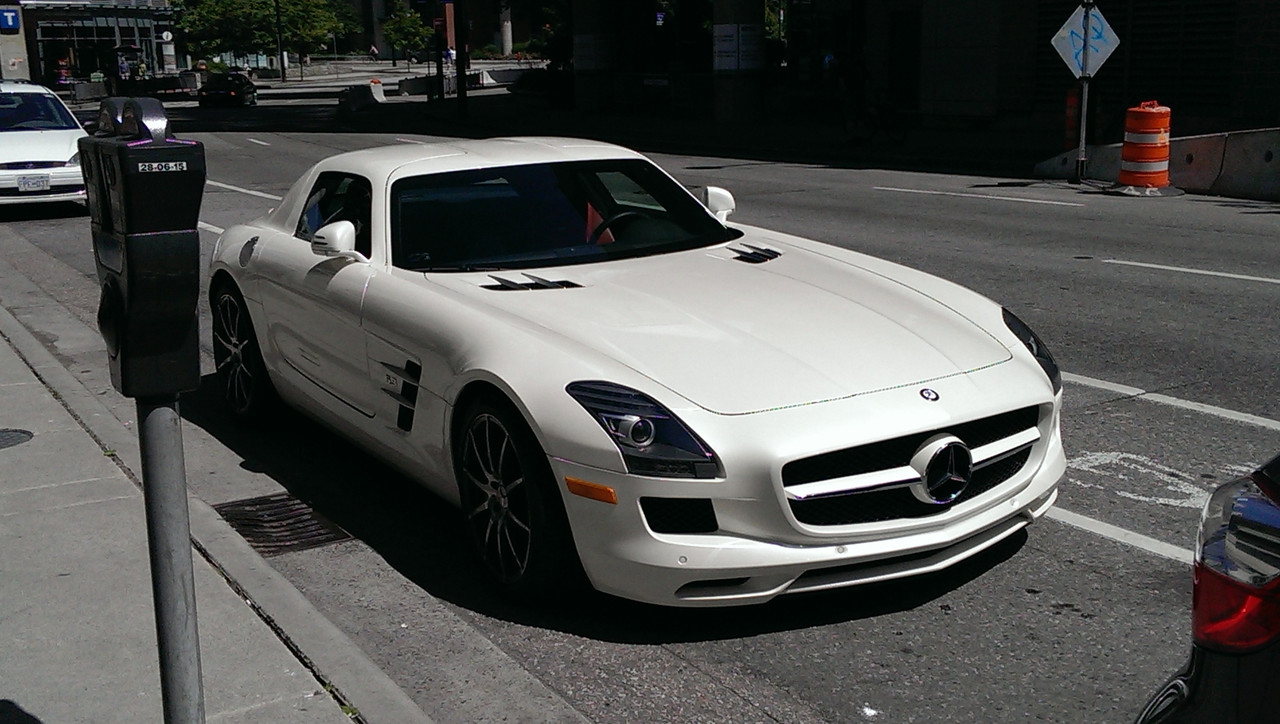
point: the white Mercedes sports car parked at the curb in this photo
(609, 378)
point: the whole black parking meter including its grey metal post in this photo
(144, 190)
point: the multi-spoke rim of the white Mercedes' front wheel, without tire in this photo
(497, 498)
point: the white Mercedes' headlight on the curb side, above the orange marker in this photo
(653, 442)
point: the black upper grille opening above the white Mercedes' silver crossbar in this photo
(899, 451)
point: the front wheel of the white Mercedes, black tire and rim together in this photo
(511, 507)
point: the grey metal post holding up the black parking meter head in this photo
(164, 489)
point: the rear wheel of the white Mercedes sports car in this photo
(245, 387)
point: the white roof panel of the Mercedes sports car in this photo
(414, 159)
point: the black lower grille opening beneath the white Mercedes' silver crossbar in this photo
(895, 503)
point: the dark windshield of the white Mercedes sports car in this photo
(545, 216)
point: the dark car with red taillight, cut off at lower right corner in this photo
(1235, 667)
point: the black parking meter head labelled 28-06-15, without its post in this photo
(144, 190)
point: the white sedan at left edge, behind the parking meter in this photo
(39, 158)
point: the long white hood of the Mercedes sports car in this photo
(735, 337)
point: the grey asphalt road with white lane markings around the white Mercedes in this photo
(1162, 313)
